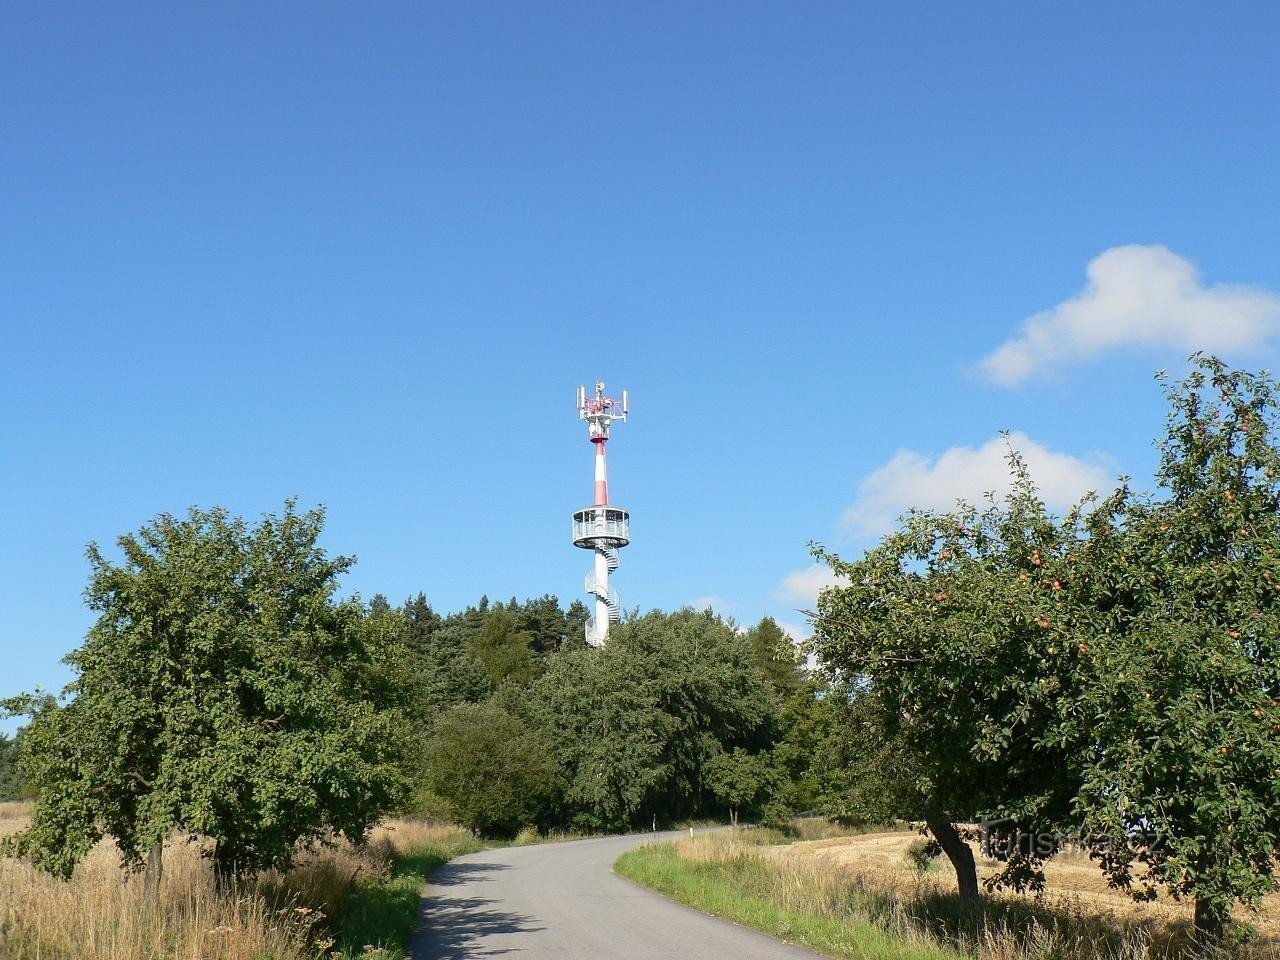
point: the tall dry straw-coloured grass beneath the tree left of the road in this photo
(100, 915)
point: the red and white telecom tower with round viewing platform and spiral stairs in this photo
(602, 527)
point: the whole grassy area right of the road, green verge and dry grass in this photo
(879, 907)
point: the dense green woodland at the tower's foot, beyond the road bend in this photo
(680, 716)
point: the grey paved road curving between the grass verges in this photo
(564, 902)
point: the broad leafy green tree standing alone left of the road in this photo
(223, 692)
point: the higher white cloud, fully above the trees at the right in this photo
(1137, 296)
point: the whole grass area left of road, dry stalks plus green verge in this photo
(339, 902)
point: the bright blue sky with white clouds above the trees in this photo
(365, 254)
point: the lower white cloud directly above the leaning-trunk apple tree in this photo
(912, 481)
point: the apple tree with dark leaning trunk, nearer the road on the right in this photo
(958, 630)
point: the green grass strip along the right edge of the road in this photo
(744, 890)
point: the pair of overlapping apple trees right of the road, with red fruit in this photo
(1109, 679)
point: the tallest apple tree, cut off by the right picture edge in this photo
(1180, 724)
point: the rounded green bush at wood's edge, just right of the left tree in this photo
(495, 772)
